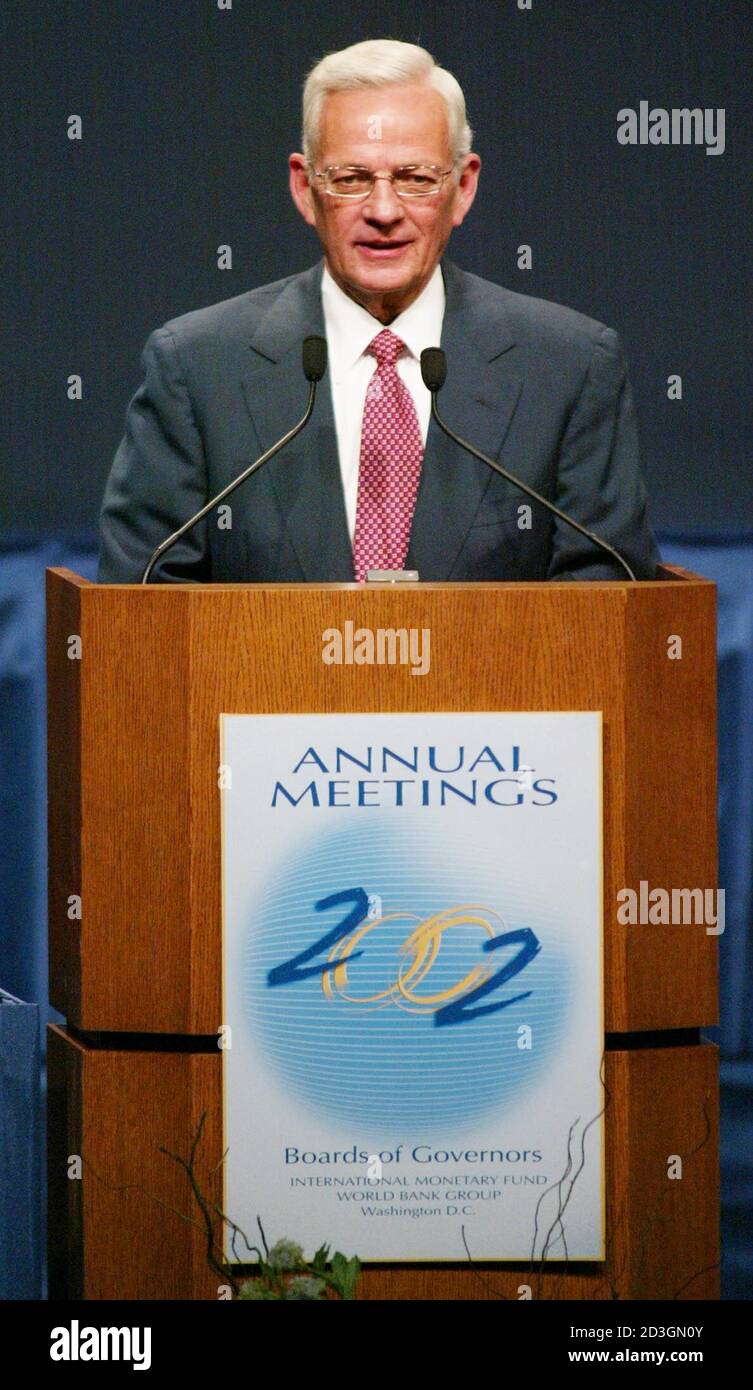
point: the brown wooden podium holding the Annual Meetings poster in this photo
(137, 682)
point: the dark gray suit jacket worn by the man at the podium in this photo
(538, 387)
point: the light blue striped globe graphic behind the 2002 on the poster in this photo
(370, 1053)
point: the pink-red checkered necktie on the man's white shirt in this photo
(390, 466)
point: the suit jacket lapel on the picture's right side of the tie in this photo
(479, 401)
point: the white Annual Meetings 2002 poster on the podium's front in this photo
(413, 983)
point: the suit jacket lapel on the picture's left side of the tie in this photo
(306, 476)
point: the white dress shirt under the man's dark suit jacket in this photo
(349, 332)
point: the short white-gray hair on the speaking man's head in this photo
(383, 63)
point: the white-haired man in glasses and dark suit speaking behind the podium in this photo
(386, 174)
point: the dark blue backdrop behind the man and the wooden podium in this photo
(190, 115)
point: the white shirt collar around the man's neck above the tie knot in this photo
(351, 327)
